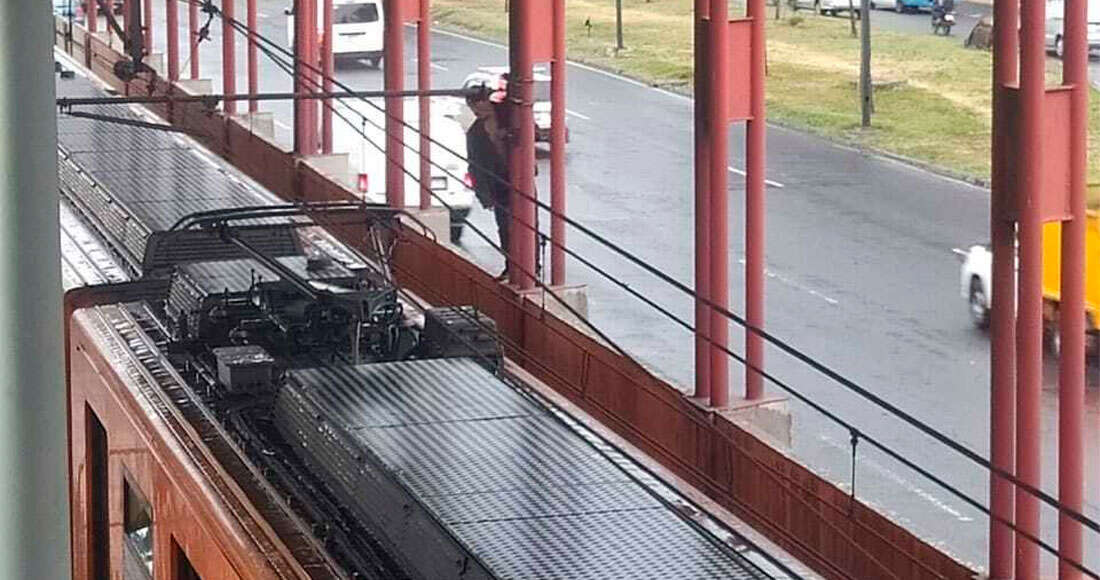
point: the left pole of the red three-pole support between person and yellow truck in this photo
(702, 206)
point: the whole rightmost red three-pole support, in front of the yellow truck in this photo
(1017, 331)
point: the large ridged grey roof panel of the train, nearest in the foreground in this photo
(525, 495)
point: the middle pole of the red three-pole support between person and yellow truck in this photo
(719, 69)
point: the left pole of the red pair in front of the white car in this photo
(394, 59)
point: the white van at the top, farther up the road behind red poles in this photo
(357, 30)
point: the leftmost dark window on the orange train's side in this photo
(100, 532)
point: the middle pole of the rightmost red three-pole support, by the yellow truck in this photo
(1030, 313)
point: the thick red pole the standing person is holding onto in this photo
(522, 93)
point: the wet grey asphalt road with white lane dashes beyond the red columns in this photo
(861, 276)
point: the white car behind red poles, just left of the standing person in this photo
(368, 162)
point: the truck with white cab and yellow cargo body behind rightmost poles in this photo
(976, 280)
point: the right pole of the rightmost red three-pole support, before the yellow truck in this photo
(1072, 313)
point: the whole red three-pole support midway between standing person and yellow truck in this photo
(712, 203)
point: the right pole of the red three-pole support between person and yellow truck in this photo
(756, 152)
